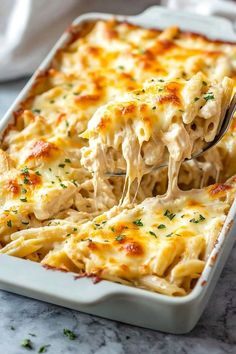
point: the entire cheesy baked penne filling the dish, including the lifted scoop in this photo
(51, 209)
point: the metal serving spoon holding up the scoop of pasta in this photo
(225, 123)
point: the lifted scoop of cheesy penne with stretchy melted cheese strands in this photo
(171, 118)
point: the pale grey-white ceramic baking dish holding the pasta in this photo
(112, 300)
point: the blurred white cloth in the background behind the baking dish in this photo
(29, 28)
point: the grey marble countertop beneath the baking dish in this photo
(43, 323)
